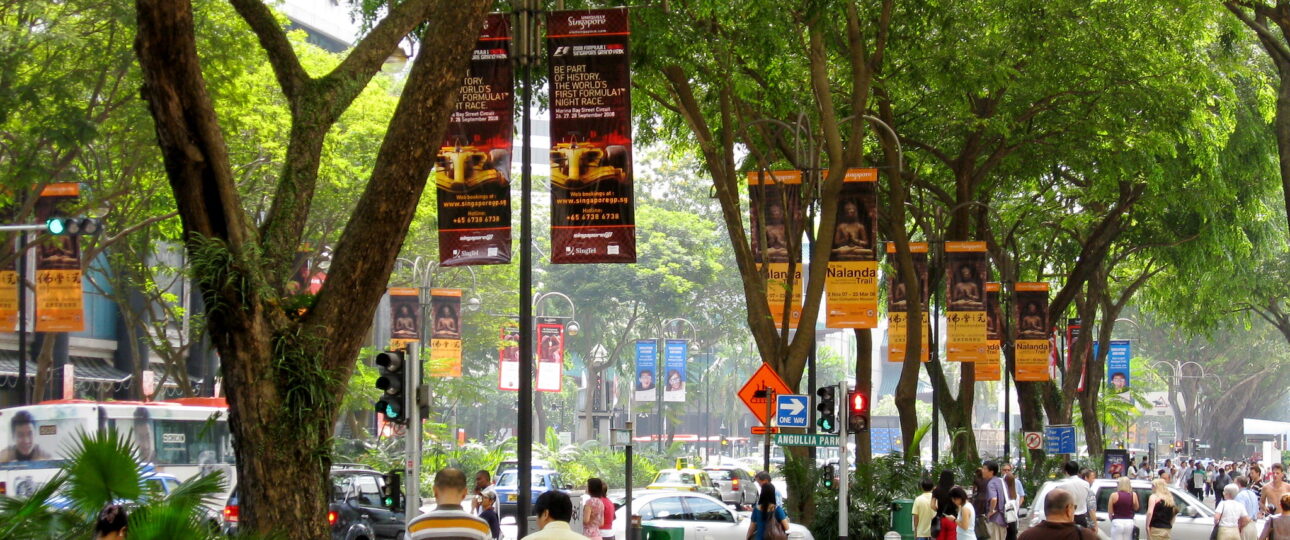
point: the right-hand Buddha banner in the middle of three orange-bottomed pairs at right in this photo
(966, 307)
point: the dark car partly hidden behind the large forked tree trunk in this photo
(355, 510)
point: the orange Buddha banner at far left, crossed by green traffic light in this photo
(60, 306)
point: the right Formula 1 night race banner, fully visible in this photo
(593, 217)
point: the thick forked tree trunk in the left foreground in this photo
(286, 374)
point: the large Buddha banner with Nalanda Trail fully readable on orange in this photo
(852, 280)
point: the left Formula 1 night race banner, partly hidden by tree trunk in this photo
(473, 171)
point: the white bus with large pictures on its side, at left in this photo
(180, 438)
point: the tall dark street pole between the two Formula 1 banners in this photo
(527, 44)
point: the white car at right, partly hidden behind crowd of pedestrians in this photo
(1195, 519)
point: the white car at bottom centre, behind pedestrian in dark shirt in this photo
(701, 516)
